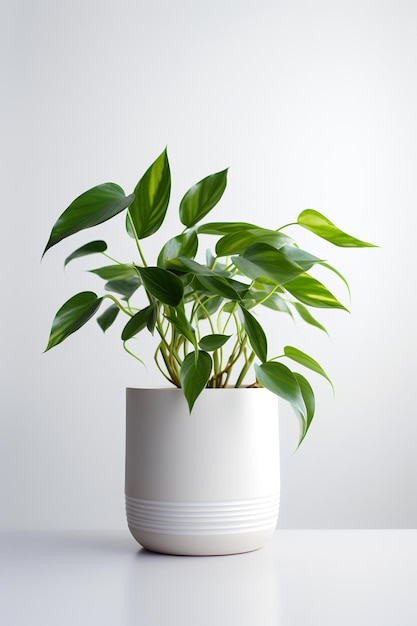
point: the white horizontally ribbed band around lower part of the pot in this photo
(202, 518)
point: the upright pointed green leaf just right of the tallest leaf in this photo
(202, 198)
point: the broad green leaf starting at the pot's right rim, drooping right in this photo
(281, 380)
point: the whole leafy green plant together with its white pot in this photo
(202, 468)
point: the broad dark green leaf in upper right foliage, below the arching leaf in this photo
(261, 259)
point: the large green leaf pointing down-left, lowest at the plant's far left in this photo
(72, 315)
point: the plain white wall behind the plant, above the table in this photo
(311, 104)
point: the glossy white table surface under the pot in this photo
(318, 577)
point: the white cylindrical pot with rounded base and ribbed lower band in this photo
(205, 483)
